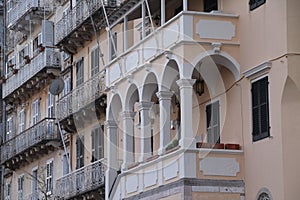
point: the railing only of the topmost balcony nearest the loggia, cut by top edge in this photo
(75, 17)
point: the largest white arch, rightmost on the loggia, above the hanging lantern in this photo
(221, 58)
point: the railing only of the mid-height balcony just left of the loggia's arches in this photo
(81, 96)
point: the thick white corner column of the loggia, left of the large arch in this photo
(186, 105)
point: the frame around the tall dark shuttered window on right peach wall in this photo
(261, 136)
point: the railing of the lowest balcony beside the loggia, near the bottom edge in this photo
(83, 180)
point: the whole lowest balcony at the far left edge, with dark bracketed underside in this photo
(30, 144)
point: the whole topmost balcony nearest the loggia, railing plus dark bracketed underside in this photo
(76, 26)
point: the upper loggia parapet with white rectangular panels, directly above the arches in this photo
(198, 28)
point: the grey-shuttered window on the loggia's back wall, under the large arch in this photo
(213, 122)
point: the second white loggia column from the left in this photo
(128, 138)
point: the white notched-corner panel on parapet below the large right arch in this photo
(214, 166)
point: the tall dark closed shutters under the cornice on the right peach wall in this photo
(260, 109)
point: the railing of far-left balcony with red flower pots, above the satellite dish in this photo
(48, 58)
